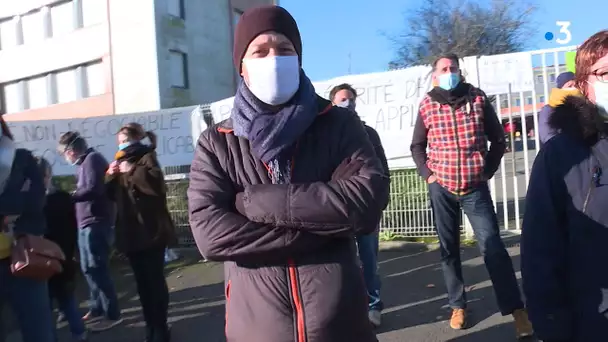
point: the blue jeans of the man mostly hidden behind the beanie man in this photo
(368, 253)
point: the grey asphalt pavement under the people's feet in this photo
(413, 292)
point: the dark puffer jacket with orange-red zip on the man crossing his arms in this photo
(291, 269)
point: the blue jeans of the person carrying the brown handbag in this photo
(29, 300)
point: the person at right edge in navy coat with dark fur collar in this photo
(565, 228)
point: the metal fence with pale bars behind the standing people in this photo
(409, 212)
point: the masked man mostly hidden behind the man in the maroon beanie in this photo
(345, 96)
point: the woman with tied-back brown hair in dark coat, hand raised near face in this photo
(144, 227)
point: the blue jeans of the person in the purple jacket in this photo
(94, 243)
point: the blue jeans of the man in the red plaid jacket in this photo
(478, 207)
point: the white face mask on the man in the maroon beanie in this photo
(273, 80)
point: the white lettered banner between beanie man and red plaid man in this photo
(387, 101)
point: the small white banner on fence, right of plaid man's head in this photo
(497, 71)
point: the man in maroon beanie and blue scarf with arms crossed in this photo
(279, 191)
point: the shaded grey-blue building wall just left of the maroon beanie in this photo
(206, 35)
